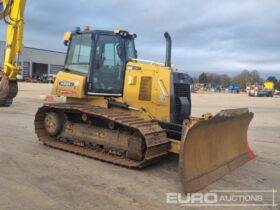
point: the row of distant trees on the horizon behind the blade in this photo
(242, 79)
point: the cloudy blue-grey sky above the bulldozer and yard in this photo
(208, 35)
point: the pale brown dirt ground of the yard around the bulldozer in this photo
(33, 176)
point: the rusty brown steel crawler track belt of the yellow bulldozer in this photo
(156, 141)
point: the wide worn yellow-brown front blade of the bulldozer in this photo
(213, 148)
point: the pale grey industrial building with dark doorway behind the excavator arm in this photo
(37, 62)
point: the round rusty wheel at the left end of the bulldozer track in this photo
(53, 123)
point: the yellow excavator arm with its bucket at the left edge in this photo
(13, 15)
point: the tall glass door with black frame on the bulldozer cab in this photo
(107, 67)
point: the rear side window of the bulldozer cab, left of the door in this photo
(78, 58)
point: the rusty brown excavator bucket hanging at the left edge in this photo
(8, 90)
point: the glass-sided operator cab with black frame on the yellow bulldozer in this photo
(102, 57)
